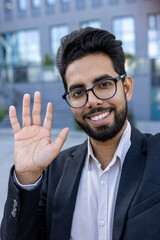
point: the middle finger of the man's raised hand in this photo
(36, 113)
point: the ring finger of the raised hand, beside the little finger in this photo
(26, 116)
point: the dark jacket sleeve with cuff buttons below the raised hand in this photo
(23, 217)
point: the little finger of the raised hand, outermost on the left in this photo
(13, 119)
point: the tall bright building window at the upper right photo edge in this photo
(154, 35)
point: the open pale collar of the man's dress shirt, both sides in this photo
(120, 153)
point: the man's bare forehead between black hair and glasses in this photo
(86, 69)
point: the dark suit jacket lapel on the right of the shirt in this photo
(132, 173)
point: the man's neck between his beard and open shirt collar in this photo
(104, 151)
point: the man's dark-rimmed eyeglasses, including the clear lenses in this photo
(104, 89)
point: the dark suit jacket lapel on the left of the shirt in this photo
(66, 193)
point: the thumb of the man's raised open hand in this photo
(60, 140)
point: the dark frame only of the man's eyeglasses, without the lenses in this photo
(115, 80)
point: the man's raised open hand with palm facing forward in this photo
(33, 149)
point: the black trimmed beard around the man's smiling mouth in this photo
(106, 132)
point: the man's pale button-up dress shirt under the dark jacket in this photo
(95, 204)
